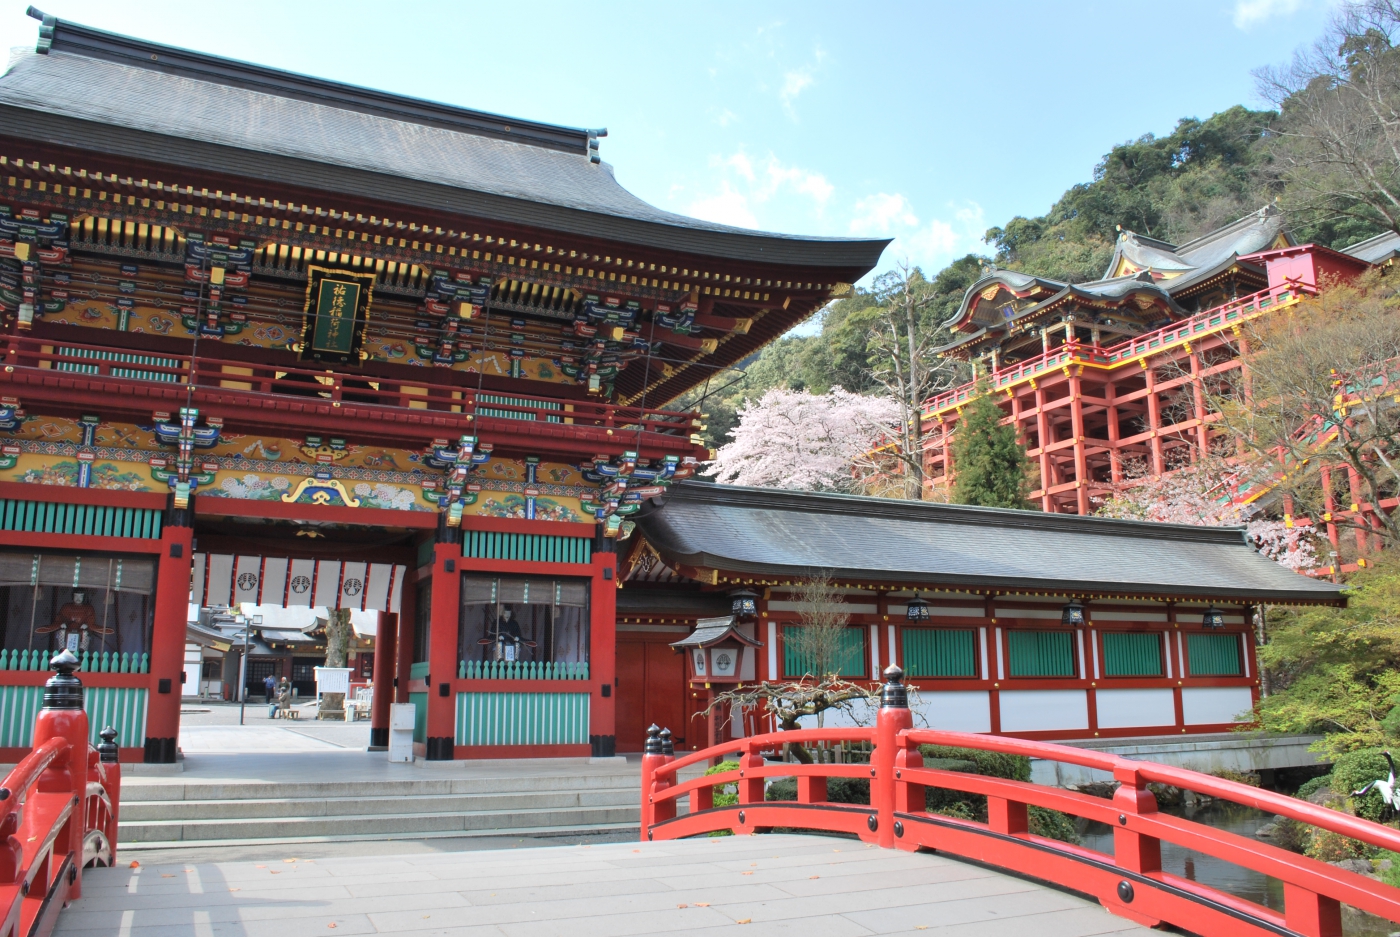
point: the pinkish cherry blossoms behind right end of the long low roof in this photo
(1202, 494)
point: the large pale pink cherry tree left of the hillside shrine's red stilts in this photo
(806, 442)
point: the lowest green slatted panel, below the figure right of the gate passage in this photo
(523, 719)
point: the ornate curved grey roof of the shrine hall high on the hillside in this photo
(1147, 285)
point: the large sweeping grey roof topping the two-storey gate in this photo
(72, 99)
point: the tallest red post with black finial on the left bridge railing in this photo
(64, 718)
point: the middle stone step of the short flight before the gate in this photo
(275, 807)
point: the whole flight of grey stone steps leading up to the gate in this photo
(170, 812)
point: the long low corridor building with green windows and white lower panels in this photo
(1010, 623)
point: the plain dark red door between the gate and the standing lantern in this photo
(652, 690)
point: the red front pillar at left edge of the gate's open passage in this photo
(169, 645)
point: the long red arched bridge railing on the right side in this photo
(1129, 882)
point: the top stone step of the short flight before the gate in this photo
(174, 789)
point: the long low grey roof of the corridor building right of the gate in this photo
(723, 533)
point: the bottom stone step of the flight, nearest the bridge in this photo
(381, 826)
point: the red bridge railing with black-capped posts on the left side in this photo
(58, 810)
